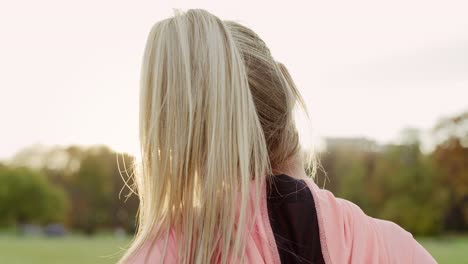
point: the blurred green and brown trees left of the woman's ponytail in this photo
(84, 188)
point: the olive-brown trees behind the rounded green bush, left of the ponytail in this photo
(92, 179)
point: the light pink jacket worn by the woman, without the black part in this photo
(347, 235)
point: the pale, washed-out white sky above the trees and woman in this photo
(69, 70)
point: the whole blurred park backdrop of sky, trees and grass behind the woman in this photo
(386, 84)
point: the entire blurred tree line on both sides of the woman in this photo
(84, 188)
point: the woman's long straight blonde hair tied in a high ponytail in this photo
(216, 114)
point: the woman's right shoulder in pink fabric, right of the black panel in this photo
(349, 235)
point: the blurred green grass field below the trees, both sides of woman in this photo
(106, 249)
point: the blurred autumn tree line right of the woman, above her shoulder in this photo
(426, 193)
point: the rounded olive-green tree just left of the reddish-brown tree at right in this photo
(410, 192)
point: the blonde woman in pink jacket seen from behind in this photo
(222, 176)
